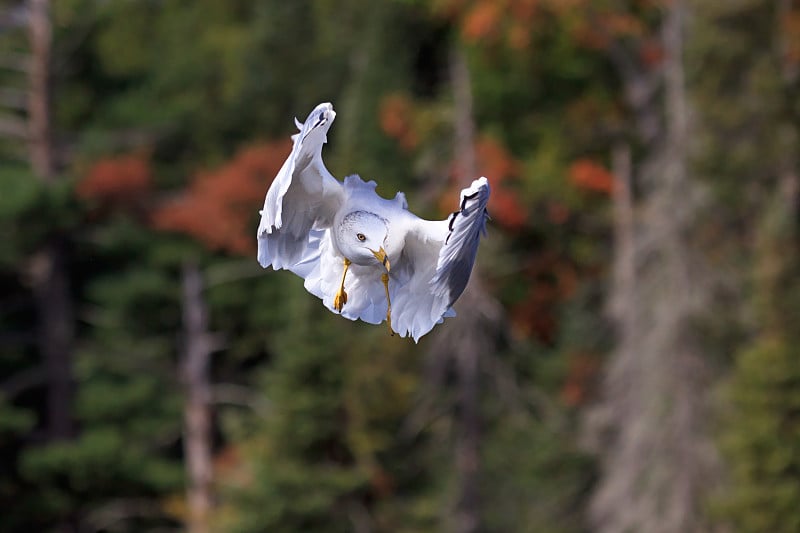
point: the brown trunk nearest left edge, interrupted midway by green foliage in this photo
(50, 266)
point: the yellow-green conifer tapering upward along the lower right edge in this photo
(761, 429)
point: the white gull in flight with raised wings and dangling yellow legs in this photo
(366, 257)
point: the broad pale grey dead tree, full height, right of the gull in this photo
(657, 461)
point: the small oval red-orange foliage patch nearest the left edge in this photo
(121, 179)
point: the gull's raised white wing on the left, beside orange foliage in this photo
(302, 199)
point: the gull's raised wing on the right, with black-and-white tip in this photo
(436, 263)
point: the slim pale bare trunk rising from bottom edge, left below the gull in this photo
(197, 407)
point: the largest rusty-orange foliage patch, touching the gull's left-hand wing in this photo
(219, 207)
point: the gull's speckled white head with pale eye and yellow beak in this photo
(362, 238)
